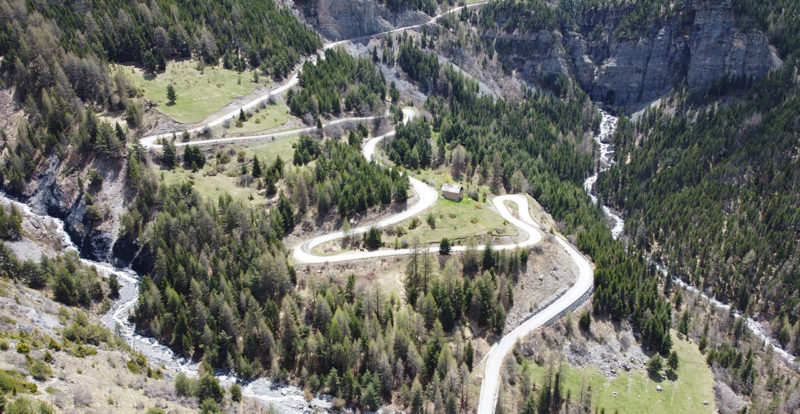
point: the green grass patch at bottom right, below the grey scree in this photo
(637, 393)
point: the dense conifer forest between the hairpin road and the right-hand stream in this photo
(530, 146)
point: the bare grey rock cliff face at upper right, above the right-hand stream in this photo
(700, 44)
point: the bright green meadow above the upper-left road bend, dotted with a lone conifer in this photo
(199, 94)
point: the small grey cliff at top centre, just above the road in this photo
(348, 19)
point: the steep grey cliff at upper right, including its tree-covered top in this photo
(630, 53)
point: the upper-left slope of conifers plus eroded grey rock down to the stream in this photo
(55, 62)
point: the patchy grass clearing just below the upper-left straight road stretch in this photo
(227, 180)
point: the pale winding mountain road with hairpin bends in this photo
(302, 253)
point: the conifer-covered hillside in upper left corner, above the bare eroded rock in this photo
(56, 53)
